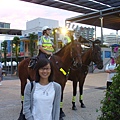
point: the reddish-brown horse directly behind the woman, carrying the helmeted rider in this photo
(68, 56)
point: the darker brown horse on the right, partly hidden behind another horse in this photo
(93, 54)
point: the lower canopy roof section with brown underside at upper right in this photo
(111, 18)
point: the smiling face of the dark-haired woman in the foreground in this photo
(45, 71)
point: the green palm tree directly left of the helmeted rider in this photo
(32, 37)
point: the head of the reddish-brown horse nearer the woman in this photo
(76, 51)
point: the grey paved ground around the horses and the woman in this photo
(10, 103)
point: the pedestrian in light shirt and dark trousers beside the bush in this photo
(110, 69)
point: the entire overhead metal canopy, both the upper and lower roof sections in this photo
(92, 9)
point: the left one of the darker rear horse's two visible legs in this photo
(74, 95)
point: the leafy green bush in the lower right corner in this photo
(110, 109)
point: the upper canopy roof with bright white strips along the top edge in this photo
(80, 6)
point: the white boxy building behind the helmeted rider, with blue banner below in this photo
(34, 27)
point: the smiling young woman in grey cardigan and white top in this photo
(43, 101)
